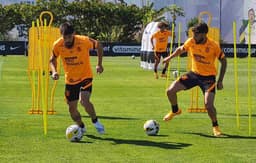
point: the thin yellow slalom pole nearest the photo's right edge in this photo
(249, 82)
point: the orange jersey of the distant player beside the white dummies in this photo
(161, 40)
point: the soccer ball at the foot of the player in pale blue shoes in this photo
(74, 133)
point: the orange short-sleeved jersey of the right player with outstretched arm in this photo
(203, 56)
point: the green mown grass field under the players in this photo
(125, 96)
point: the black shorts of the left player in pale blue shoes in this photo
(72, 91)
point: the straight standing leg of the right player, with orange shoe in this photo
(211, 110)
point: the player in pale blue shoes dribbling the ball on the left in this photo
(74, 52)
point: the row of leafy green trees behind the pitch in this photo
(106, 22)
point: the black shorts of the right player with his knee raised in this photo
(191, 79)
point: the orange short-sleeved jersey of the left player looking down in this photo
(76, 60)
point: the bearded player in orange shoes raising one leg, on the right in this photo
(203, 52)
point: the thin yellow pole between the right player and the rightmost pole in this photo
(236, 77)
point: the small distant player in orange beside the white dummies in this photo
(159, 41)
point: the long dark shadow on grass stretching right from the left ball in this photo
(165, 145)
